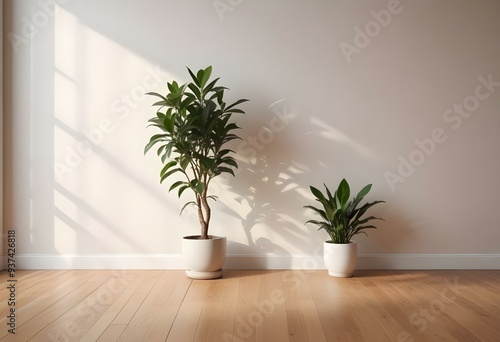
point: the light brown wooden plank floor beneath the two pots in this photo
(251, 305)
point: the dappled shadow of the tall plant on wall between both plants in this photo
(268, 184)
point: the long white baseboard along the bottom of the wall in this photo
(282, 261)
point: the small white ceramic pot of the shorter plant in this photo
(340, 258)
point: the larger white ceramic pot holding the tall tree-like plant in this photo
(204, 258)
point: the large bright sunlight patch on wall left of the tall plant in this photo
(99, 93)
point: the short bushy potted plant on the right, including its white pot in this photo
(342, 219)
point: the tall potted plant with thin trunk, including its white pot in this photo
(195, 125)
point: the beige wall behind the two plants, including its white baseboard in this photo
(401, 94)
